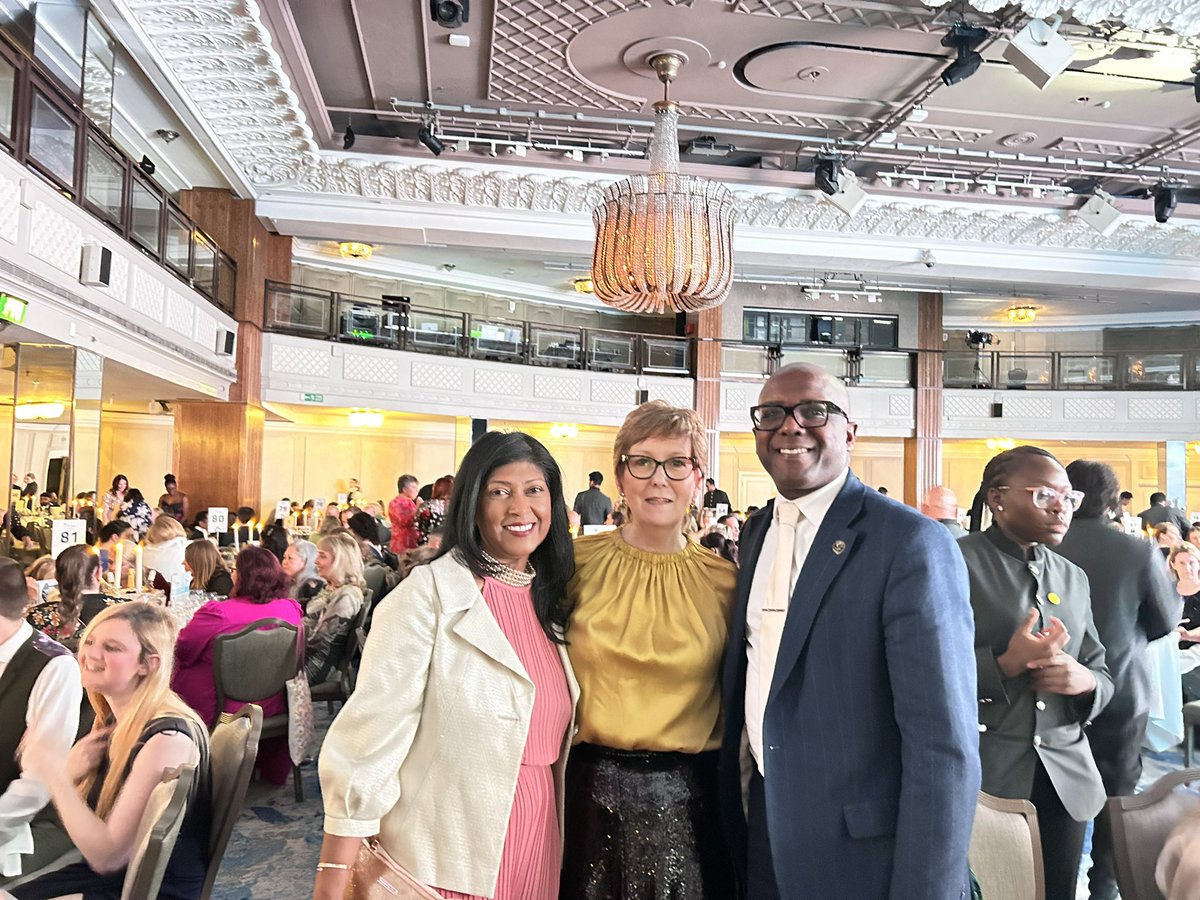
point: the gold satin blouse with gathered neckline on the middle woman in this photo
(646, 641)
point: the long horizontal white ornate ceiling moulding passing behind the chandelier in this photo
(794, 211)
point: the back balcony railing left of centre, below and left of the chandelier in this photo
(331, 316)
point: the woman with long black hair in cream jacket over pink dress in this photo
(453, 748)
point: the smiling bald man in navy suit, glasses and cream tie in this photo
(850, 676)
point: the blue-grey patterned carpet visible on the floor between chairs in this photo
(274, 849)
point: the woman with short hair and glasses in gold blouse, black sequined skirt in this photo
(646, 640)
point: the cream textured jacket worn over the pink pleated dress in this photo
(427, 751)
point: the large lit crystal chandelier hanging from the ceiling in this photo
(664, 241)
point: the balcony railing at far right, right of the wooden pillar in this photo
(1150, 370)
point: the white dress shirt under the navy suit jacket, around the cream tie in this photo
(813, 508)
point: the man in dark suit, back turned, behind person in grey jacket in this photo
(1133, 603)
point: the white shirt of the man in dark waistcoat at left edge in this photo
(53, 712)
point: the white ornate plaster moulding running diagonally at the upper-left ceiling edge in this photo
(220, 55)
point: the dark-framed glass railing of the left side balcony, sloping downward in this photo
(44, 127)
